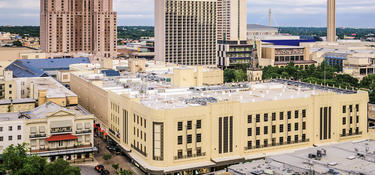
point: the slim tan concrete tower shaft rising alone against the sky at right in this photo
(331, 20)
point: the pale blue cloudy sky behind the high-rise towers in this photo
(350, 13)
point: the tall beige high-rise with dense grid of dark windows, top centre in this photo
(185, 31)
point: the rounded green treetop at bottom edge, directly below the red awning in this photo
(61, 167)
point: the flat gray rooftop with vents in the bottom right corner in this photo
(356, 157)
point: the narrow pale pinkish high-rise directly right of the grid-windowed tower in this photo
(231, 20)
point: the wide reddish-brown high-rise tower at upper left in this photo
(78, 26)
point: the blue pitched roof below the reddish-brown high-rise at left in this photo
(37, 67)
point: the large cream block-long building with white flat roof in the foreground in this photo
(166, 129)
